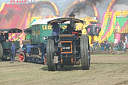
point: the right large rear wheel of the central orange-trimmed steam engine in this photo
(85, 52)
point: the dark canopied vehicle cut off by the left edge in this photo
(5, 43)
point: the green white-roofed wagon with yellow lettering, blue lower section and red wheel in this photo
(34, 47)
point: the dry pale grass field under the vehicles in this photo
(105, 70)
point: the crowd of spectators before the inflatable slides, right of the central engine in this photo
(107, 46)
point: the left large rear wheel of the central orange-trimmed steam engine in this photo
(50, 55)
